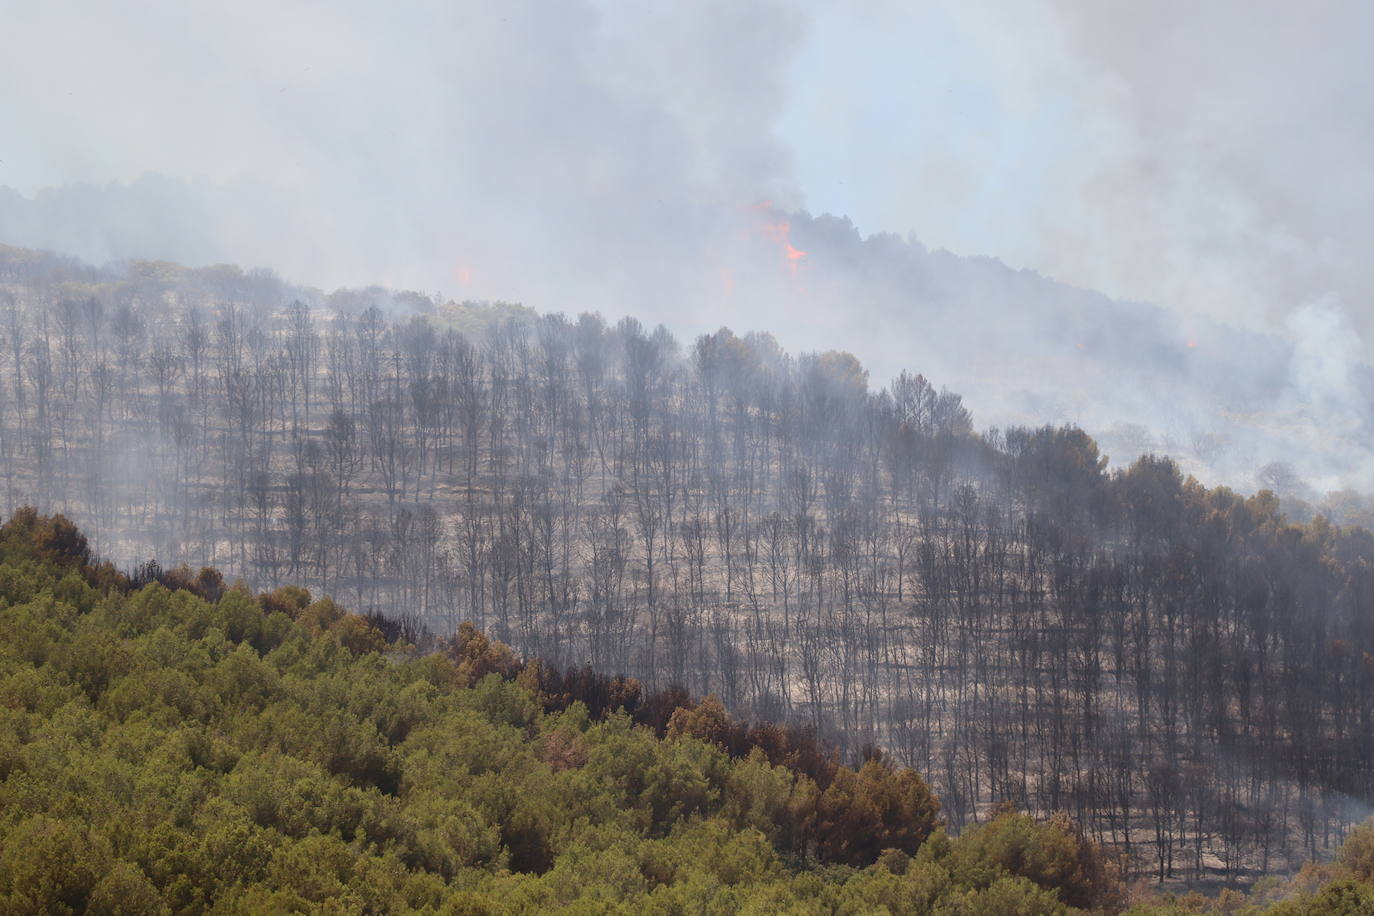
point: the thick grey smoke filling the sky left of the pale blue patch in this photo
(575, 152)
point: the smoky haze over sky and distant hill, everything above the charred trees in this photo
(655, 160)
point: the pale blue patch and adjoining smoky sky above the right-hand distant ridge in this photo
(1206, 157)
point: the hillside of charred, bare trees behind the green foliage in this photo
(1182, 669)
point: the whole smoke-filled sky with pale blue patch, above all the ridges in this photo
(1211, 157)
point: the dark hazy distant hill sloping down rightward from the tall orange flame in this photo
(1023, 348)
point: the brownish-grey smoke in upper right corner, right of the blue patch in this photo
(1244, 128)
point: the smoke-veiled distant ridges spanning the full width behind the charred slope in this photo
(1022, 348)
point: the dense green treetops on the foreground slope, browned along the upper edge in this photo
(161, 752)
